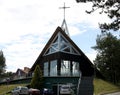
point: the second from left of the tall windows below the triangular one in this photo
(53, 68)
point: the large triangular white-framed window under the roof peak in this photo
(60, 43)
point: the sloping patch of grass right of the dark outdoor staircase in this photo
(102, 87)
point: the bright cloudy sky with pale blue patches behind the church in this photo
(27, 25)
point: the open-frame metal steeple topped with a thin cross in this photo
(64, 24)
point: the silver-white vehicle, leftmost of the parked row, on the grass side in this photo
(20, 90)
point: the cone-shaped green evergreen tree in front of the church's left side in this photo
(37, 80)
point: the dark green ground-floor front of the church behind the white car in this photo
(62, 85)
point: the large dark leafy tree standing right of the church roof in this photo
(108, 56)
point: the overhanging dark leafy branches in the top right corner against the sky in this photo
(109, 7)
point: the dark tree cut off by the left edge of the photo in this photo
(2, 63)
